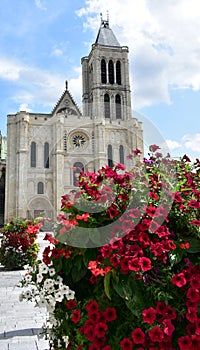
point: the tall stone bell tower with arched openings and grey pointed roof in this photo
(105, 74)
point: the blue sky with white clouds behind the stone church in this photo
(42, 42)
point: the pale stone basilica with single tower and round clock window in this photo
(46, 152)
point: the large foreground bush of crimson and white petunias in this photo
(122, 270)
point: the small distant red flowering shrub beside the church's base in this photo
(18, 246)
